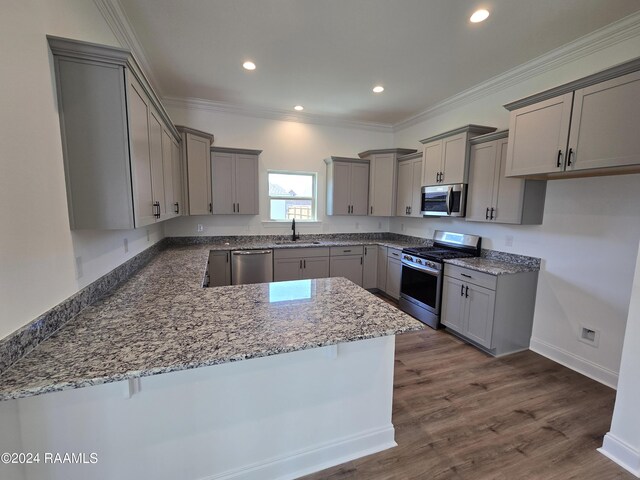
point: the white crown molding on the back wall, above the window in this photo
(273, 114)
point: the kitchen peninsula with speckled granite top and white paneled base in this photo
(316, 392)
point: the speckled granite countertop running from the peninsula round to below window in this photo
(161, 320)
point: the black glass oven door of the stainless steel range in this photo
(421, 287)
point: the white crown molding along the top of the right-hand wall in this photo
(595, 41)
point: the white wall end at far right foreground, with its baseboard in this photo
(622, 443)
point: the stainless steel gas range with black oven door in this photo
(422, 271)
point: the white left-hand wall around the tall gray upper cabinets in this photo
(37, 250)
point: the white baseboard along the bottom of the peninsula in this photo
(313, 459)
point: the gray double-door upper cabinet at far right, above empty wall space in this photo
(586, 127)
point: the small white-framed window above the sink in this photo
(292, 196)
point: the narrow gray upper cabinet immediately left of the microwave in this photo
(408, 203)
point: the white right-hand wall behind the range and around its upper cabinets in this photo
(587, 241)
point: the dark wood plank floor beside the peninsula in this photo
(461, 414)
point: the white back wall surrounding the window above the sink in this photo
(286, 146)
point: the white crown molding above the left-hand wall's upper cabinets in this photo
(119, 23)
